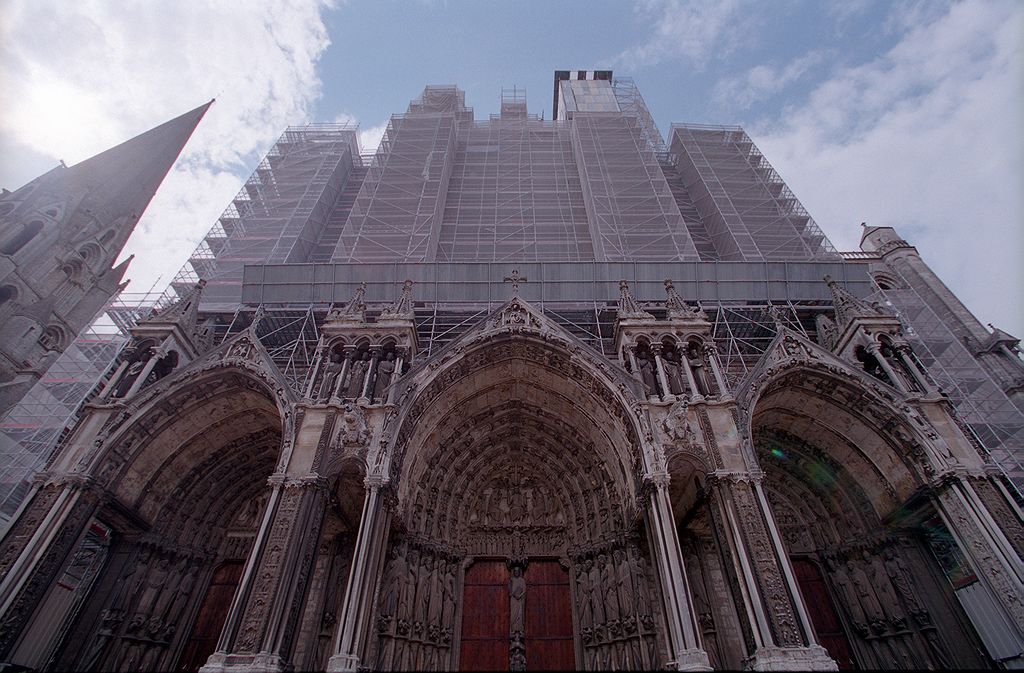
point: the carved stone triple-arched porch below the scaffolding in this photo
(819, 515)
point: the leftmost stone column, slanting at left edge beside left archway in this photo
(34, 552)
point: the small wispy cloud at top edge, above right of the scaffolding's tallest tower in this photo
(690, 29)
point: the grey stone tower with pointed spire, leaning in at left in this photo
(60, 238)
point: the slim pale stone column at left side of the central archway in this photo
(358, 605)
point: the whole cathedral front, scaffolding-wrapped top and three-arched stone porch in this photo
(577, 399)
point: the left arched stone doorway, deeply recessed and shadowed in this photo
(188, 482)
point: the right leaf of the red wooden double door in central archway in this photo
(548, 618)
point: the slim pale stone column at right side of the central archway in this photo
(686, 650)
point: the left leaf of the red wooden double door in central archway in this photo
(486, 618)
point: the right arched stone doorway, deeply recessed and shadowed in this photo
(844, 491)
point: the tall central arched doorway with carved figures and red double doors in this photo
(518, 540)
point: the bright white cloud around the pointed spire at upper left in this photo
(81, 77)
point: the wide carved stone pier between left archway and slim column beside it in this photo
(260, 638)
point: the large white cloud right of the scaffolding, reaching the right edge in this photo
(925, 139)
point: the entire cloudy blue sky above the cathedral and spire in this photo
(897, 113)
